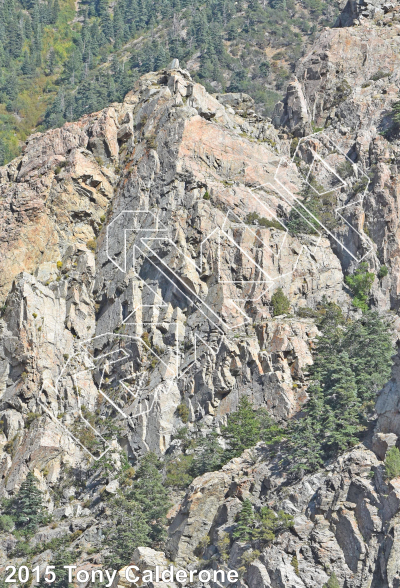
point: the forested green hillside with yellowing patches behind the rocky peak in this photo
(60, 59)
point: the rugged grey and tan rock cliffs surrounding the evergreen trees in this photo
(141, 247)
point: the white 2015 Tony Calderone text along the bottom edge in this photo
(132, 574)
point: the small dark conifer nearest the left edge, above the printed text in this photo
(27, 507)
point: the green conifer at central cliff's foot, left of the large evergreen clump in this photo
(243, 428)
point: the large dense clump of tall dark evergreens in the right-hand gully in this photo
(344, 383)
